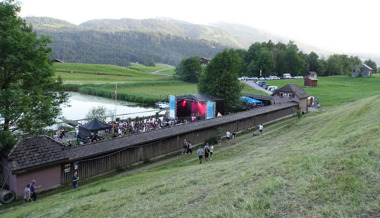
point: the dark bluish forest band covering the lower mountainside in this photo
(121, 48)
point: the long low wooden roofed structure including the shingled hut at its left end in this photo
(52, 165)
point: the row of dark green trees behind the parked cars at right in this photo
(280, 58)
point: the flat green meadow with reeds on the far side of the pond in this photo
(135, 83)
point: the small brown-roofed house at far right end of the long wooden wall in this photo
(289, 93)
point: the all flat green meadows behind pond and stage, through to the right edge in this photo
(137, 83)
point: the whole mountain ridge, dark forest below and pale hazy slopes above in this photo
(120, 42)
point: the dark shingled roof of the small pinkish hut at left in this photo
(33, 152)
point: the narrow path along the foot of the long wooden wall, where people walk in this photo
(224, 146)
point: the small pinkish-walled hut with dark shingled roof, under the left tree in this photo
(33, 158)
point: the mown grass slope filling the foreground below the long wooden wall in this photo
(325, 164)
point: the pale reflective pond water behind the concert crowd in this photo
(81, 104)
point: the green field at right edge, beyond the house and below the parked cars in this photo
(336, 90)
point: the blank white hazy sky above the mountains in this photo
(341, 26)
